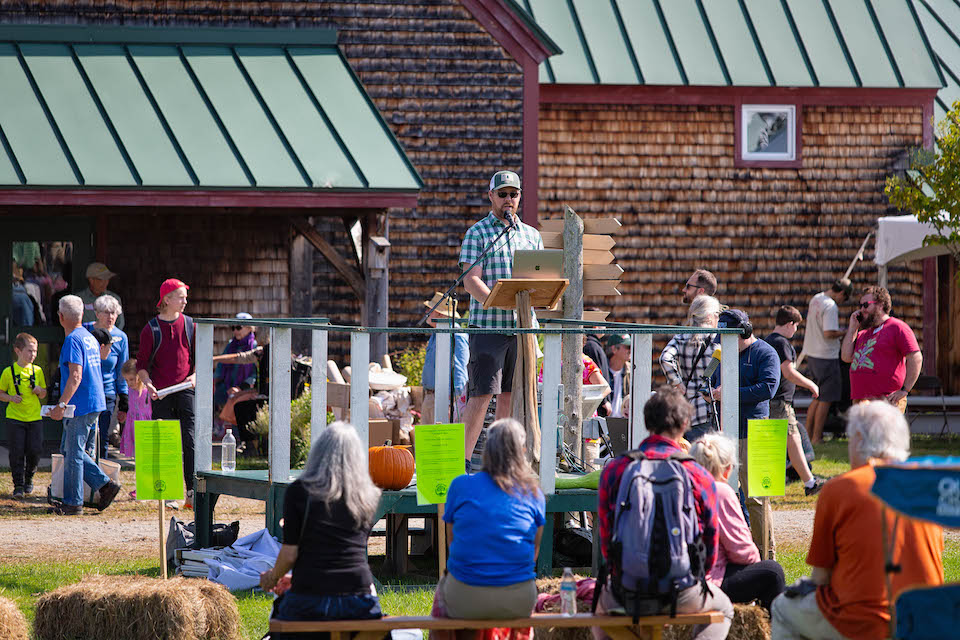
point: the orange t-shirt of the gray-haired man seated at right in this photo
(847, 539)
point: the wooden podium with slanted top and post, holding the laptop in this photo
(523, 295)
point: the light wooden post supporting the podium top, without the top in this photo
(524, 392)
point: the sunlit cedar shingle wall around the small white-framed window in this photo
(771, 236)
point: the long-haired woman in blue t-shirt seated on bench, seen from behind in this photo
(494, 524)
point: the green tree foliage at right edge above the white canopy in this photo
(931, 188)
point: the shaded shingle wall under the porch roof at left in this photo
(231, 262)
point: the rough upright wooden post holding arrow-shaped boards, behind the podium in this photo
(571, 366)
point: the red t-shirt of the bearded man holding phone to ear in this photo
(878, 367)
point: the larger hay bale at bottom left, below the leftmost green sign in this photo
(131, 607)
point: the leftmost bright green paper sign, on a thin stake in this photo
(159, 456)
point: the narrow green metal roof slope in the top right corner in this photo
(941, 21)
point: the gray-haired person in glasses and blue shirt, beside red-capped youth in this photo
(108, 309)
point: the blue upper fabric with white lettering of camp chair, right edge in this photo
(925, 487)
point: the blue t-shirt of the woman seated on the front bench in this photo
(493, 531)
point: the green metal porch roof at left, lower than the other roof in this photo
(132, 107)
